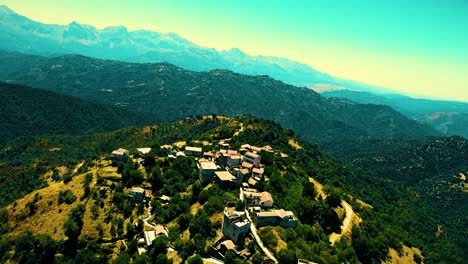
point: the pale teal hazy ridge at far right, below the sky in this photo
(448, 117)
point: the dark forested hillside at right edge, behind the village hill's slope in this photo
(430, 173)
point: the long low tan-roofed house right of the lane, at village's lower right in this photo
(274, 217)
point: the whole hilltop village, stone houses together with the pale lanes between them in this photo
(229, 169)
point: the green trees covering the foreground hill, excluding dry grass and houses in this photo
(400, 213)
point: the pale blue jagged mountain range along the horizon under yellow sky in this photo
(19, 33)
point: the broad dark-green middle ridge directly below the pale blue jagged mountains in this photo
(172, 93)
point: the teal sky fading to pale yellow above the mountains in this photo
(416, 47)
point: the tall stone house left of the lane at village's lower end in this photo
(235, 224)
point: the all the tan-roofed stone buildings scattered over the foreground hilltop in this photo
(229, 169)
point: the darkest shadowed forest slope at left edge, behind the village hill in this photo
(26, 112)
